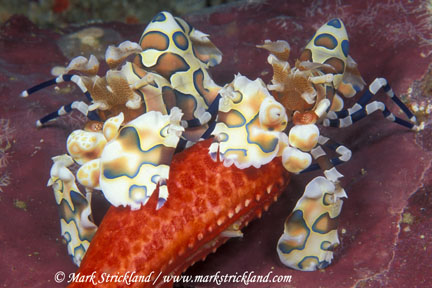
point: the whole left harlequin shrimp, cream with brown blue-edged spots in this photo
(135, 120)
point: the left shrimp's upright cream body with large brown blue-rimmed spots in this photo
(181, 54)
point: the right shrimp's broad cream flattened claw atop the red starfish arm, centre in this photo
(250, 125)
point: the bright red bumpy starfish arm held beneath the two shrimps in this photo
(206, 198)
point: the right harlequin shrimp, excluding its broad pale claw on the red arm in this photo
(310, 93)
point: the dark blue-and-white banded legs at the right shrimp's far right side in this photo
(362, 108)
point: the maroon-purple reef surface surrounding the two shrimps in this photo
(385, 228)
